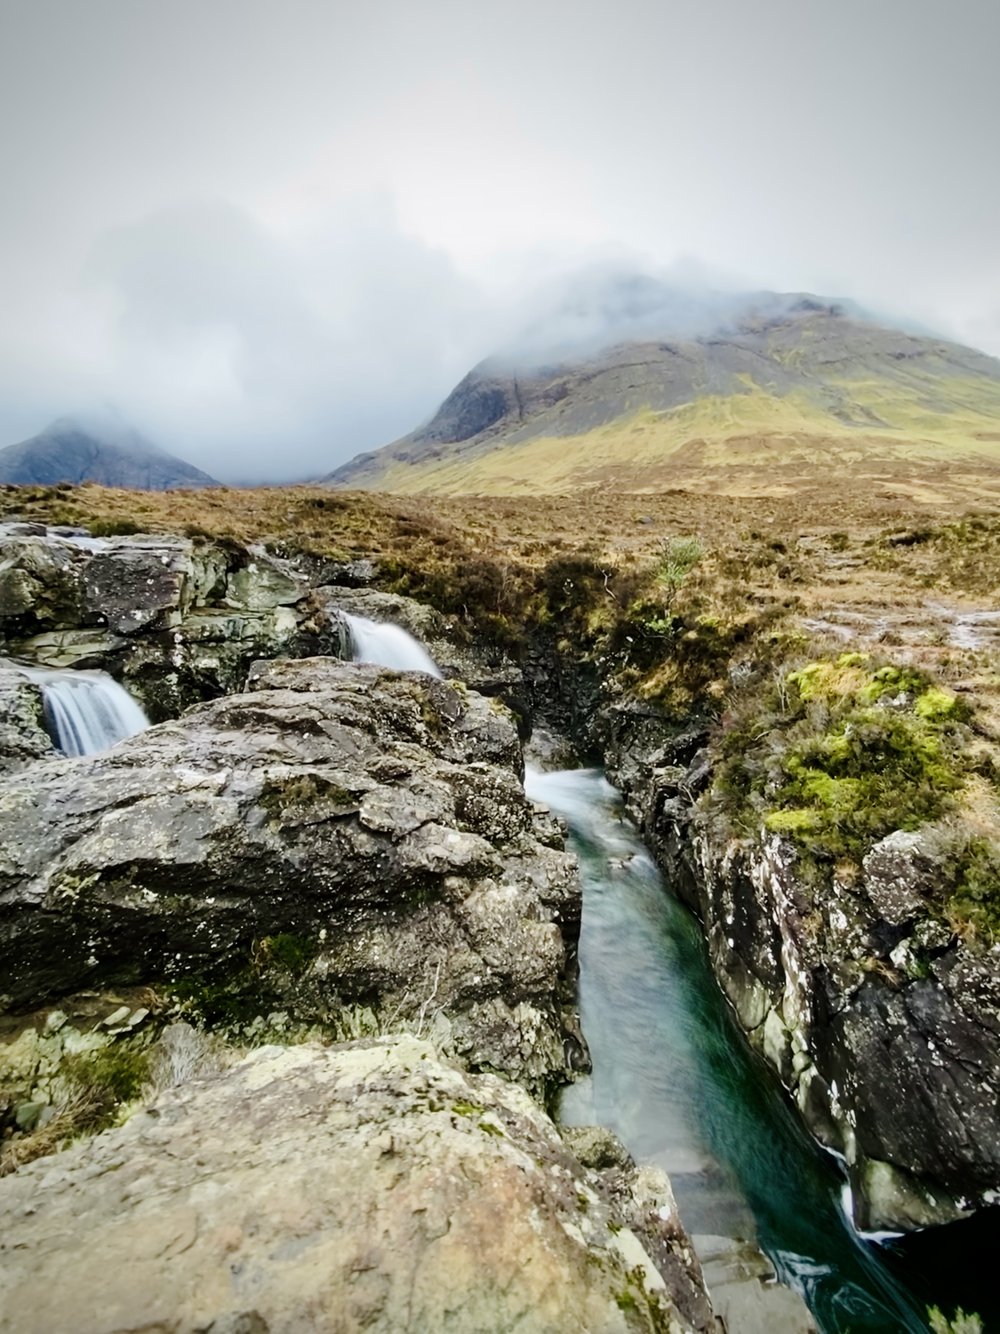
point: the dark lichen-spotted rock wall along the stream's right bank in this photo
(882, 1023)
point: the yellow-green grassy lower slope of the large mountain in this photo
(753, 441)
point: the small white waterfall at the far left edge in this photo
(87, 712)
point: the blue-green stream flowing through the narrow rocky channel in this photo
(677, 1080)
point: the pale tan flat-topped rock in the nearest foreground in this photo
(365, 1187)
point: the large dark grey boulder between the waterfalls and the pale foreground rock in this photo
(361, 833)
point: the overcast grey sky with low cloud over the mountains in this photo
(273, 234)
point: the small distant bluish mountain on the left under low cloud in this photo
(106, 452)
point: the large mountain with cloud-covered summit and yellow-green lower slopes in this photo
(781, 393)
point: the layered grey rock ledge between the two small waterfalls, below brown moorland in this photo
(177, 620)
